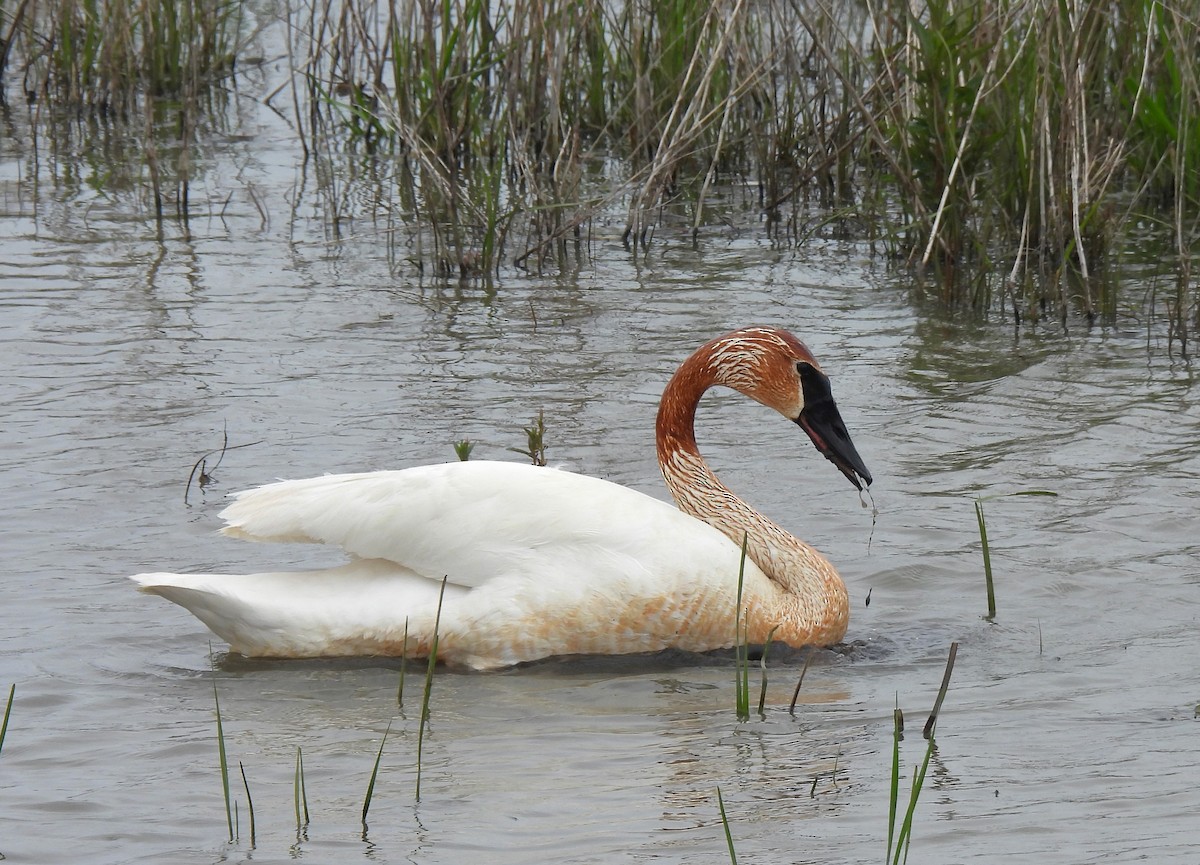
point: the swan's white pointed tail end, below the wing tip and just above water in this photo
(352, 611)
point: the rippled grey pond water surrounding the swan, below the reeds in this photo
(1070, 731)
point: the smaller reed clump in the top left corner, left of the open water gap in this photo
(152, 73)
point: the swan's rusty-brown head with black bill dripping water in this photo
(773, 368)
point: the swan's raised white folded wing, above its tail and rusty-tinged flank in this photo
(476, 521)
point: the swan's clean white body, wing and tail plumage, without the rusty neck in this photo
(518, 545)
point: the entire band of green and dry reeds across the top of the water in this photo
(1003, 149)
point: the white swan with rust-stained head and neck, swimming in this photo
(541, 562)
